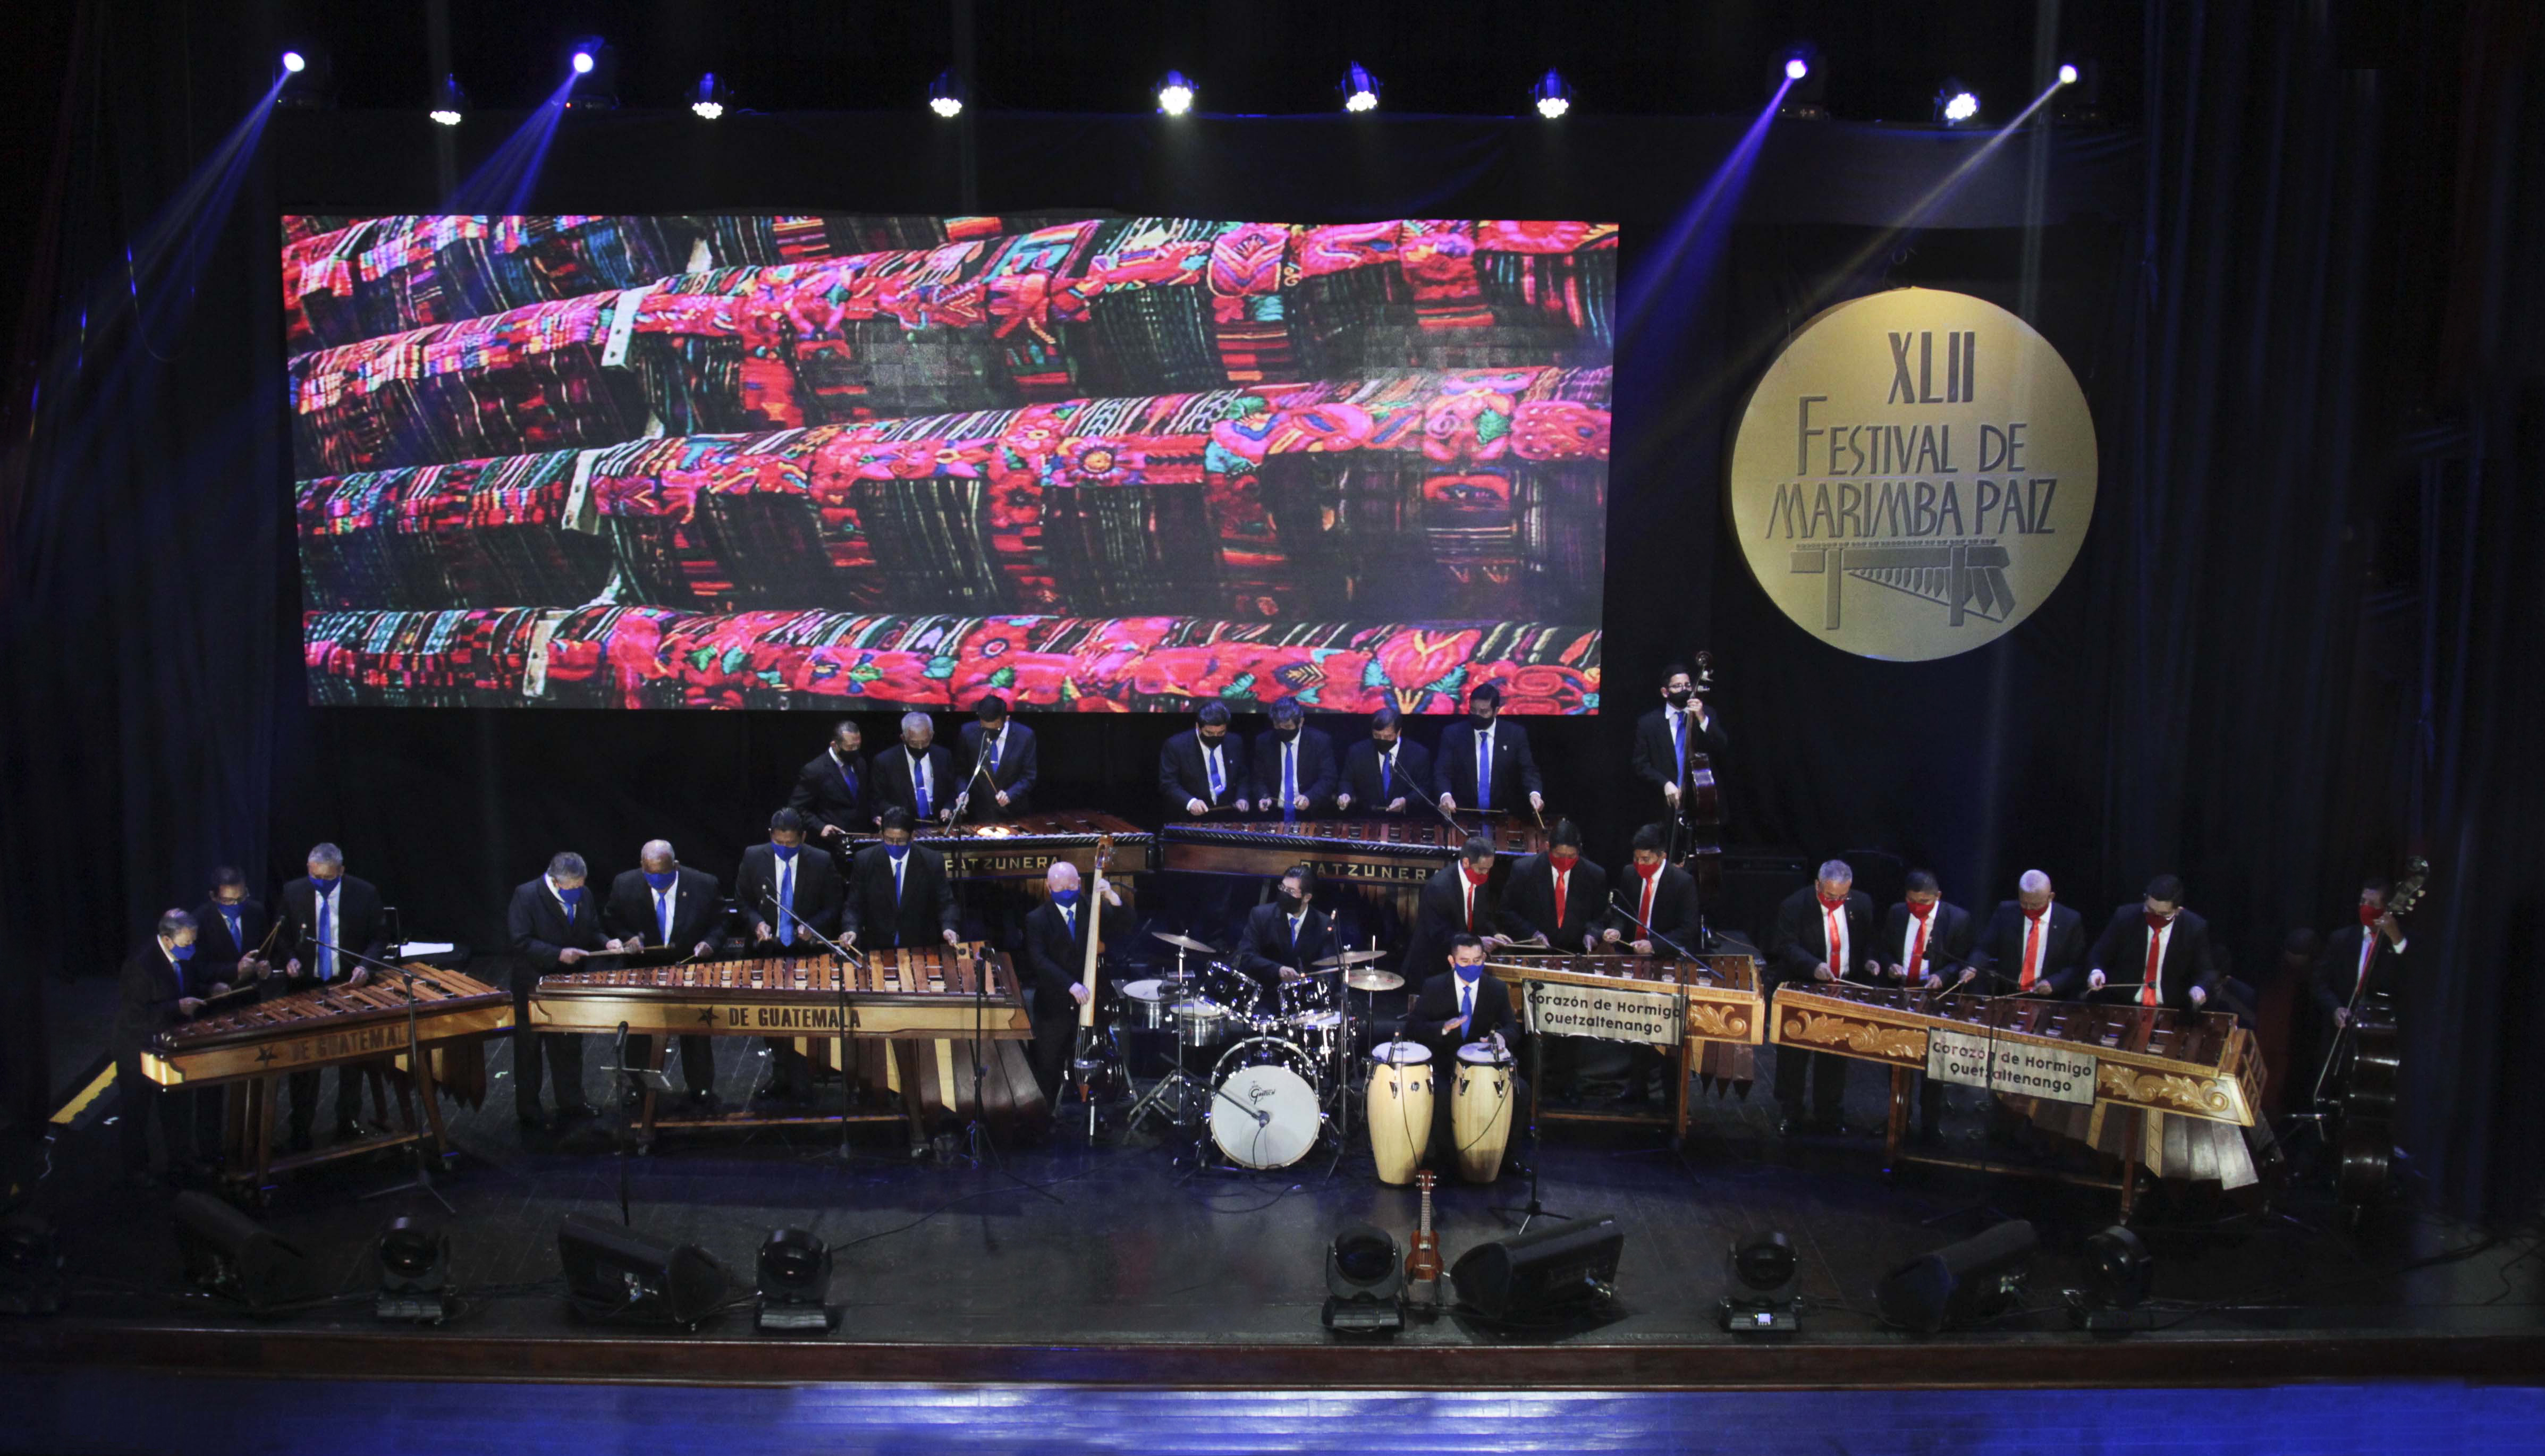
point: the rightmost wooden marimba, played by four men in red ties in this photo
(2152, 1088)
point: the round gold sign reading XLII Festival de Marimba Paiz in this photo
(1913, 475)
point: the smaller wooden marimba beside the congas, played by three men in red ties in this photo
(1724, 1014)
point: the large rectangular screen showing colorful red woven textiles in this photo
(1088, 462)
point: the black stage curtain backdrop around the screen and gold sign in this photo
(2246, 289)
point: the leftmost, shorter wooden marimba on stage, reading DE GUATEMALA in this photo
(253, 1047)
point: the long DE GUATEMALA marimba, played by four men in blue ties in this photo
(923, 1004)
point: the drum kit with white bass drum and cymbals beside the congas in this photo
(1259, 1070)
